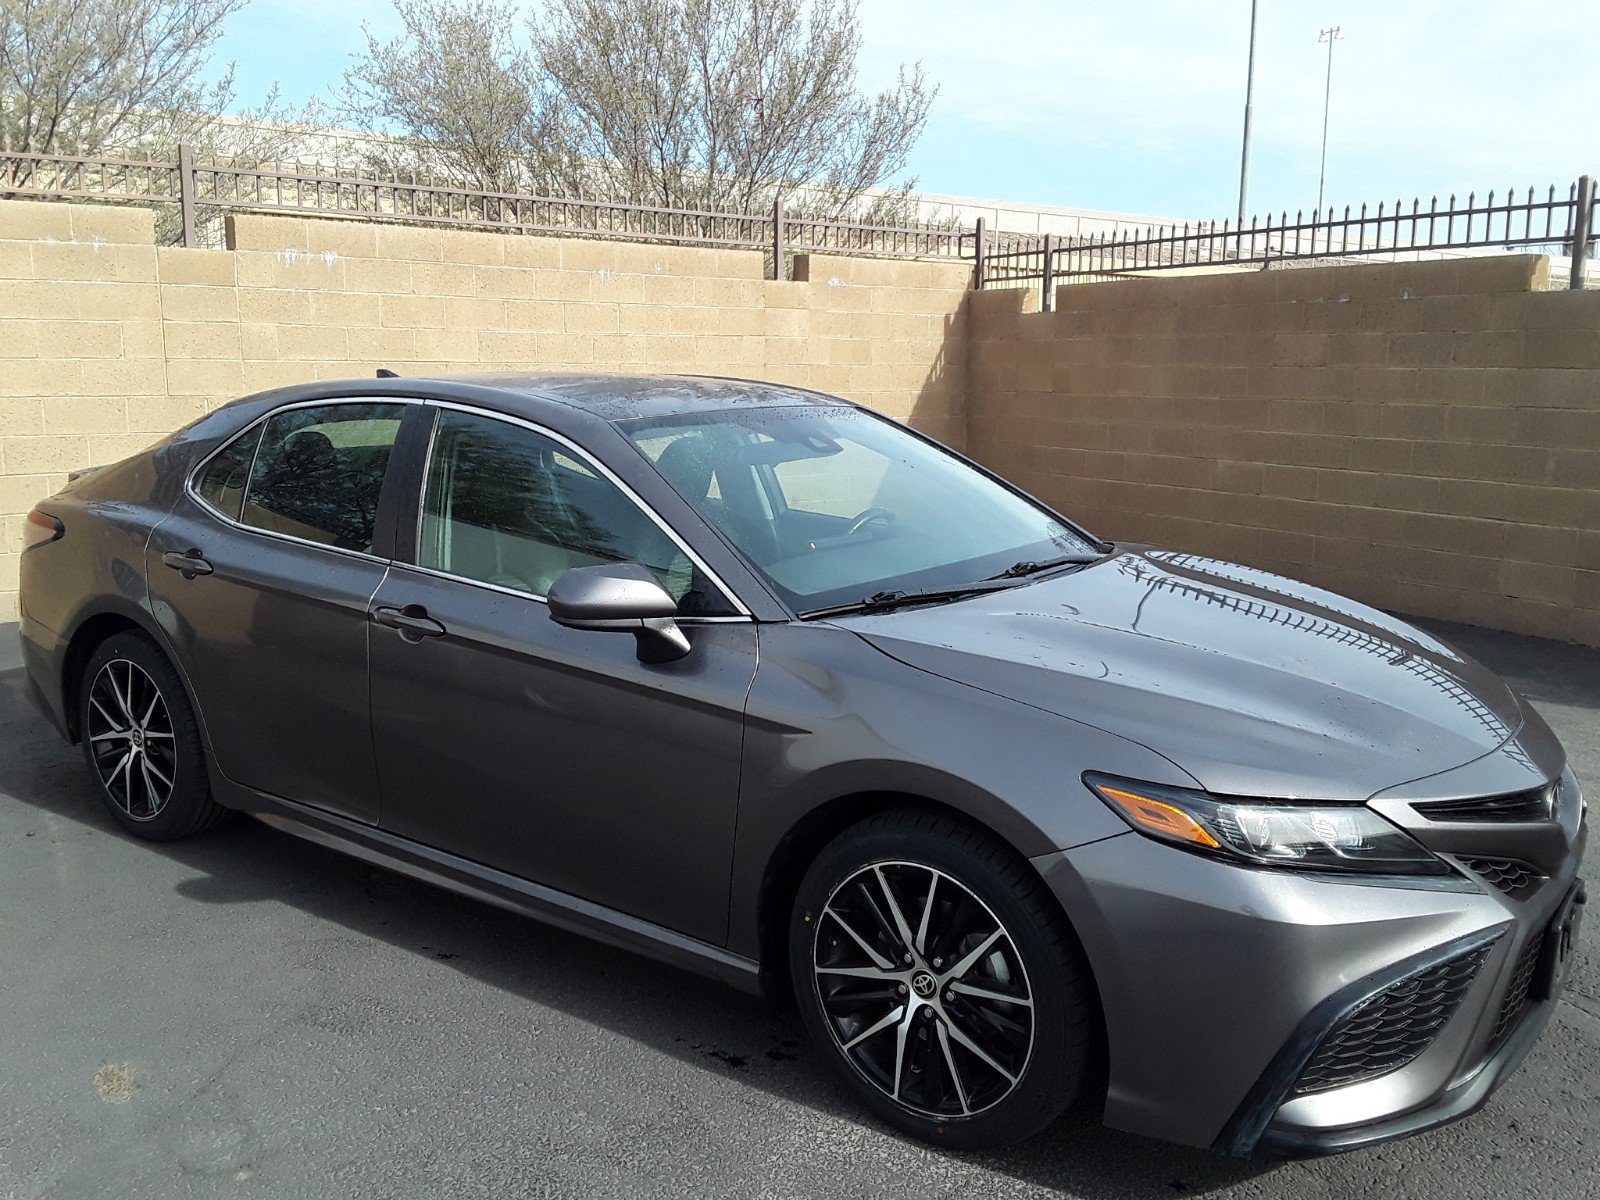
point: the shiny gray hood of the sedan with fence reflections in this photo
(1252, 684)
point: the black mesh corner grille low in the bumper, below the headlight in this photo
(1393, 1028)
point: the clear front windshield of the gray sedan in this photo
(836, 505)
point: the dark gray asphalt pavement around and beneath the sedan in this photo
(252, 1015)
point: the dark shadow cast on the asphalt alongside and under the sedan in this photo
(756, 1042)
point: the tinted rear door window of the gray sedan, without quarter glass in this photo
(319, 473)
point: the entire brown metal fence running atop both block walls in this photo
(199, 193)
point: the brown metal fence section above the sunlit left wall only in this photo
(201, 191)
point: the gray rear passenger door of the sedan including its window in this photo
(263, 578)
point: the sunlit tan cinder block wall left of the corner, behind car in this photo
(108, 342)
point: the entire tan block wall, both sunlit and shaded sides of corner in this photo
(1425, 438)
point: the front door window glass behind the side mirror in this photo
(513, 508)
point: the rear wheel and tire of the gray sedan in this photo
(143, 743)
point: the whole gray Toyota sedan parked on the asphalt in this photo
(770, 687)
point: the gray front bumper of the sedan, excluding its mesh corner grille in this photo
(1220, 983)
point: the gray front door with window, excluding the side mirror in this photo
(542, 751)
